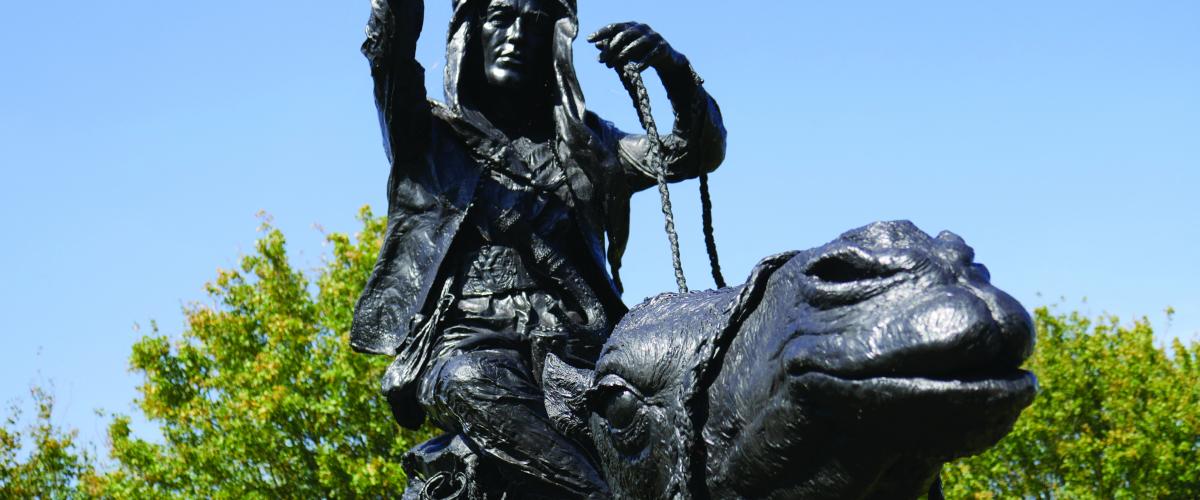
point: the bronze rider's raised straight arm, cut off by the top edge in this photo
(393, 32)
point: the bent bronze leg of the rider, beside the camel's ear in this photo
(490, 397)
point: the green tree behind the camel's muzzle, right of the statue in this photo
(1117, 418)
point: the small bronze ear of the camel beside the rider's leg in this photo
(566, 389)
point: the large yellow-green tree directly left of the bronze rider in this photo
(261, 396)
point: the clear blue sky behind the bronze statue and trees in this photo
(140, 138)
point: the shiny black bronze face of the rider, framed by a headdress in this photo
(517, 37)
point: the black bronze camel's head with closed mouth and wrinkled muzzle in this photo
(855, 370)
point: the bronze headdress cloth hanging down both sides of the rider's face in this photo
(575, 147)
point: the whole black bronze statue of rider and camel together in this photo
(855, 370)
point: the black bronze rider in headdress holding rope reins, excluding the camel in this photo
(502, 203)
